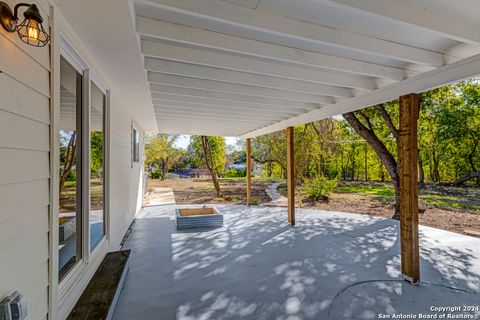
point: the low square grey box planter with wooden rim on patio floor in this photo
(198, 218)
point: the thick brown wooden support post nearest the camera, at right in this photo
(408, 173)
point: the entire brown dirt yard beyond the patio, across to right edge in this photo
(199, 191)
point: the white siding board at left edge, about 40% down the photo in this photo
(21, 133)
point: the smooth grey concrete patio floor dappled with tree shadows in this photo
(331, 265)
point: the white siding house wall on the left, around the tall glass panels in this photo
(28, 158)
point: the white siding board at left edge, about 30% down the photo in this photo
(18, 98)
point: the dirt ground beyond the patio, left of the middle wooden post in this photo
(198, 191)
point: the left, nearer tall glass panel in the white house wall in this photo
(70, 168)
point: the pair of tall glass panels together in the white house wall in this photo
(81, 167)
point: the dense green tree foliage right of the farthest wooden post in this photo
(448, 138)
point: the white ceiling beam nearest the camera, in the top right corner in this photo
(442, 25)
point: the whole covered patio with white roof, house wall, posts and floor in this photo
(231, 68)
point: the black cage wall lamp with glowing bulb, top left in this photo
(31, 30)
